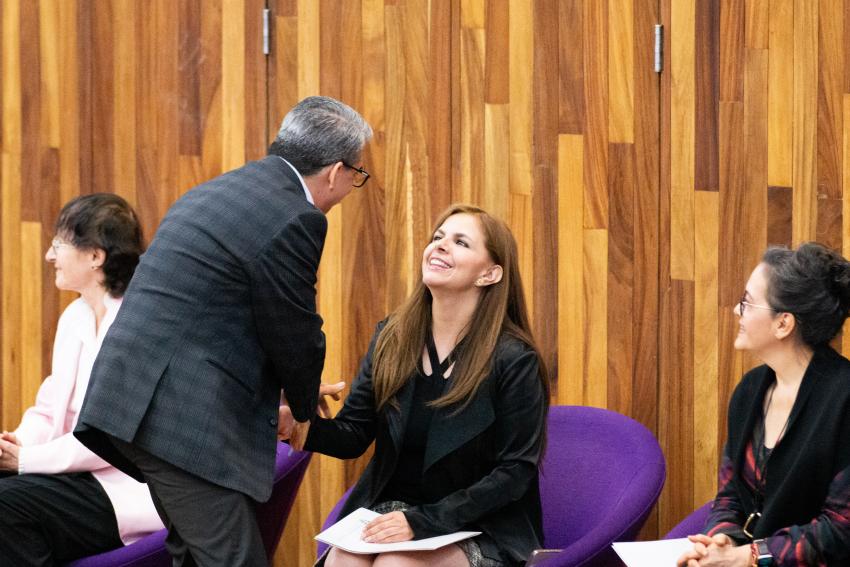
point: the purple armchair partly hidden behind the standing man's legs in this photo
(271, 517)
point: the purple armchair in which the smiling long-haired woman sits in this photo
(600, 478)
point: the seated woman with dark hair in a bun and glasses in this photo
(784, 495)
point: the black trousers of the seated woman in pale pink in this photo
(50, 519)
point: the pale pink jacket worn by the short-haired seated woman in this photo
(45, 432)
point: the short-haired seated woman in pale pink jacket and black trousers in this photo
(58, 500)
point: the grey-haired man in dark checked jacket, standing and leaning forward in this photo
(218, 319)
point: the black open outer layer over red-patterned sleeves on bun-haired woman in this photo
(813, 451)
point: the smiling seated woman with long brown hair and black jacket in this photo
(453, 392)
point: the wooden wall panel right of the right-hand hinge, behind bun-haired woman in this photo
(782, 157)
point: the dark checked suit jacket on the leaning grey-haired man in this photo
(219, 316)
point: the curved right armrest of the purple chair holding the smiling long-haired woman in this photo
(593, 549)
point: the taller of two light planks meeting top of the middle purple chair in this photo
(571, 303)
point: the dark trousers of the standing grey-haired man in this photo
(208, 525)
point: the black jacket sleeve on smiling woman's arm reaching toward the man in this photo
(350, 433)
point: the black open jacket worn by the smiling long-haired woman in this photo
(481, 464)
